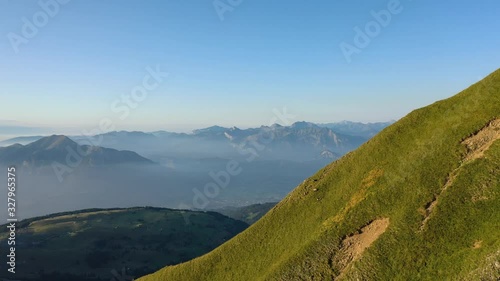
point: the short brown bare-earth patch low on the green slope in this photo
(352, 247)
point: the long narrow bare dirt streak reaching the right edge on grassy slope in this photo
(476, 146)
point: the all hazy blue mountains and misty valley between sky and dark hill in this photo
(175, 167)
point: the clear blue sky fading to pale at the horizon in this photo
(263, 55)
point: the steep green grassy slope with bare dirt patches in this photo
(410, 204)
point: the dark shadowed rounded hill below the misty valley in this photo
(90, 244)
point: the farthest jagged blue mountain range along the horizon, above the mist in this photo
(302, 141)
